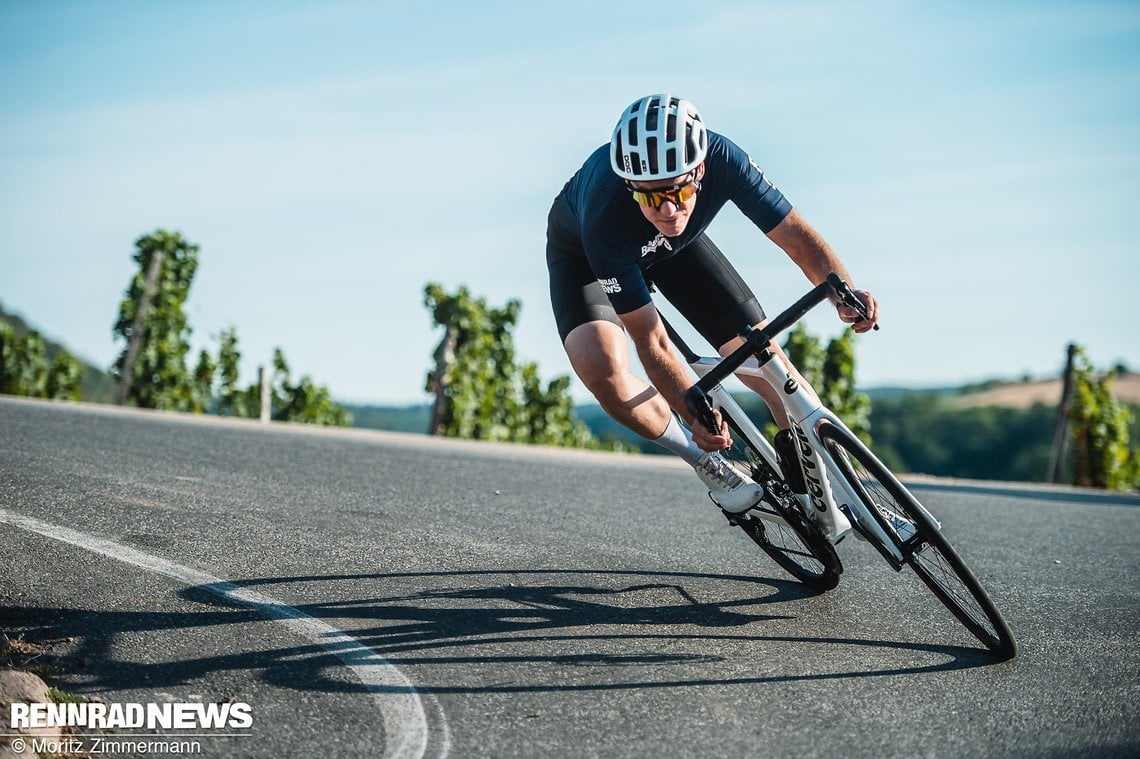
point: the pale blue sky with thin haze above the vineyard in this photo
(976, 166)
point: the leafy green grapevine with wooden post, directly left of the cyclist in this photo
(481, 390)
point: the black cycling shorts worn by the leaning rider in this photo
(699, 282)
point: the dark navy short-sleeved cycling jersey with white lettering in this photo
(621, 243)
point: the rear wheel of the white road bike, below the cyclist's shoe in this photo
(801, 549)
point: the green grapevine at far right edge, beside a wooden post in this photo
(1103, 454)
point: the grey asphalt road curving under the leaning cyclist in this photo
(373, 594)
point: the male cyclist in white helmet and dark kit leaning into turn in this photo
(633, 217)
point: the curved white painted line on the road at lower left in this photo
(403, 713)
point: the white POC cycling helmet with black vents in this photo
(658, 137)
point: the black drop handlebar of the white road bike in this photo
(756, 340)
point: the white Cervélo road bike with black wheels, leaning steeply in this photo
(846, 489)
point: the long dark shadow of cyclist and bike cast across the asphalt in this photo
(499, 631)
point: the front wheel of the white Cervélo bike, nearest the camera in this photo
(930, 553)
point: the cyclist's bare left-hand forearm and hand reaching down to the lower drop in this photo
(667, 373)
